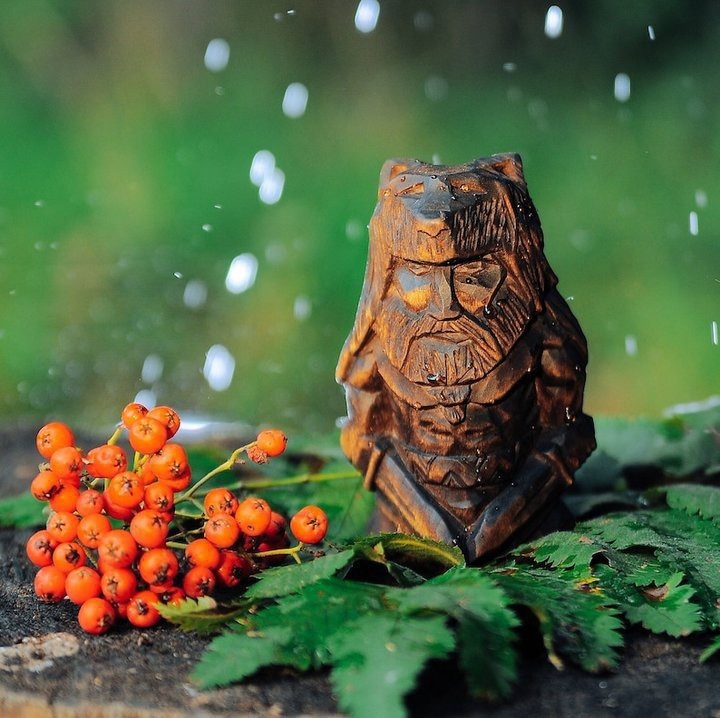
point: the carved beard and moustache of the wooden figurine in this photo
(457, 351)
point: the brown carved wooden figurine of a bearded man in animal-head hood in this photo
(465, 369)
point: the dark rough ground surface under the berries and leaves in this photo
(49, 667)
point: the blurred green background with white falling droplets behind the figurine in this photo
(127, 137)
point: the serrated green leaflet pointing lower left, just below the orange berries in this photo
(234, 656)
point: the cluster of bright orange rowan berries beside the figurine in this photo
(114, 542)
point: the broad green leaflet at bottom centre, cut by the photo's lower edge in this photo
(377, 659)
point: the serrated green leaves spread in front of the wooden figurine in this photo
(655, 568)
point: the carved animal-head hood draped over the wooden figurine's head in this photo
(440, 214)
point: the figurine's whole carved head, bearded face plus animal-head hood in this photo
(456, 271)
